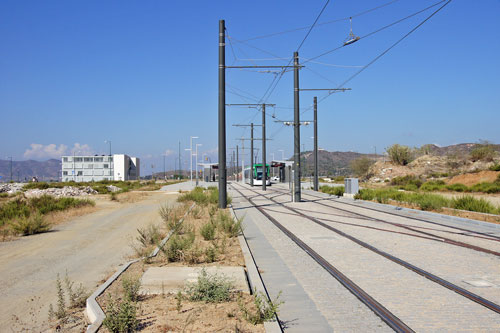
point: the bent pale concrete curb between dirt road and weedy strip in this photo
(93, 310)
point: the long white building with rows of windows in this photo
(97, 168)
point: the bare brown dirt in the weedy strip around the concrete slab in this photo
(163, 313)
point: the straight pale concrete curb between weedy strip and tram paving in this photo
(254, 278)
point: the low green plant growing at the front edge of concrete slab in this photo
(210, 288)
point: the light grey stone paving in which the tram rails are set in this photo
(314, 301)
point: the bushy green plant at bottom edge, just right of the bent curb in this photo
(121, 316)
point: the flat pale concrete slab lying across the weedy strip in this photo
(157, 280)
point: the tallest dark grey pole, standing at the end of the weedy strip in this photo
(222, 117)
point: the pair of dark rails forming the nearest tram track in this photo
(432, 277)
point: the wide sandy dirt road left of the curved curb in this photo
(88, 247)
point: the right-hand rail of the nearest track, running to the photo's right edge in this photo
(461, 291)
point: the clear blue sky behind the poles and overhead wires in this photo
(143, 74)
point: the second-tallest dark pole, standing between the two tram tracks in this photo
(296, 124)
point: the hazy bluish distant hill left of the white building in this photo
(21, 170)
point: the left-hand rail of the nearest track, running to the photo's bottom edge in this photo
(388, 317)
